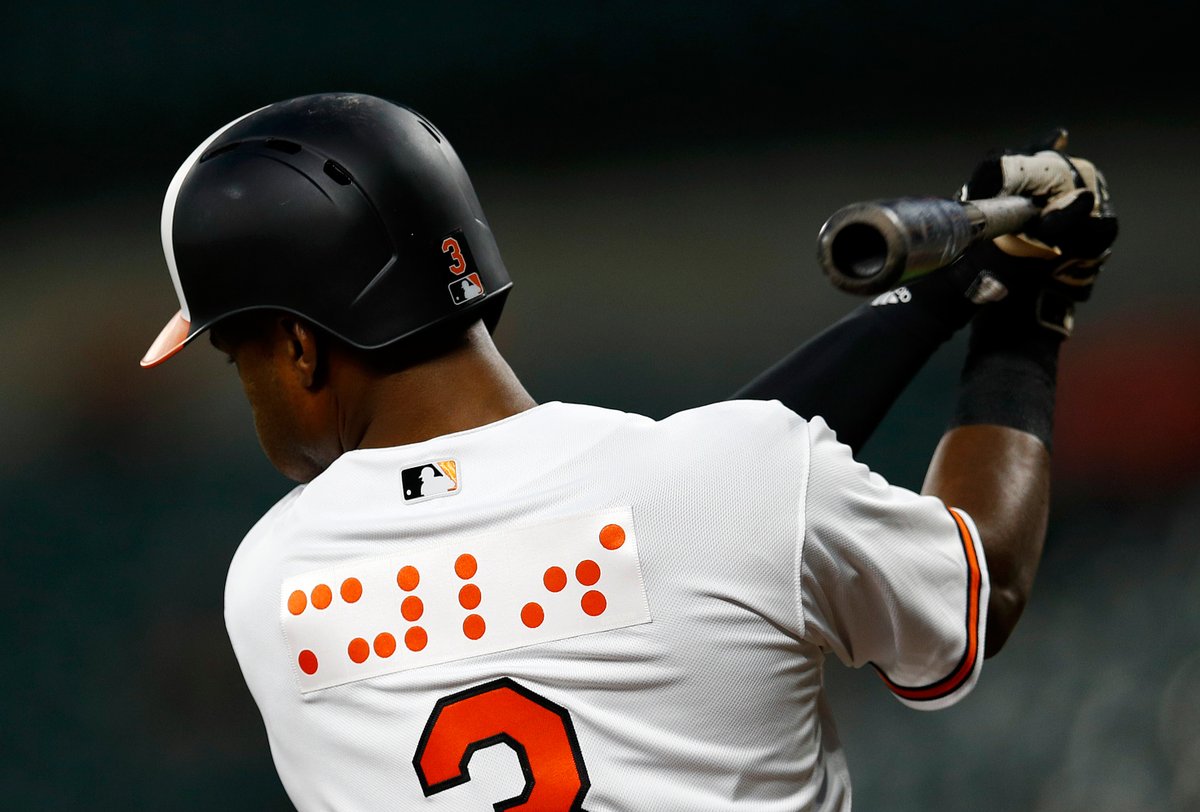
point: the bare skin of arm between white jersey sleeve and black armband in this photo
(1001, 477)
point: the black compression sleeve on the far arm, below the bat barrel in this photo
(853, 372)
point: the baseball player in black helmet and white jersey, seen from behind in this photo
(476, 602)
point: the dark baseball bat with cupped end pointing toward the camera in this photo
(871, 248)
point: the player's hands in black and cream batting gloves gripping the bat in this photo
(1057, 261)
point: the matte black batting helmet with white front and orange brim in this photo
(349, 210)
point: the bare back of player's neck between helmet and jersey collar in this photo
(465, 389)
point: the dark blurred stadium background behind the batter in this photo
(656, 175)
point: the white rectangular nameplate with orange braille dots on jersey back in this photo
(464, 598)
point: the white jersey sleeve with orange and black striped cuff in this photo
(890, 579)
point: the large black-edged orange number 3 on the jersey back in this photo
(506, 712)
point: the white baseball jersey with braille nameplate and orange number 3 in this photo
(578, 609)
